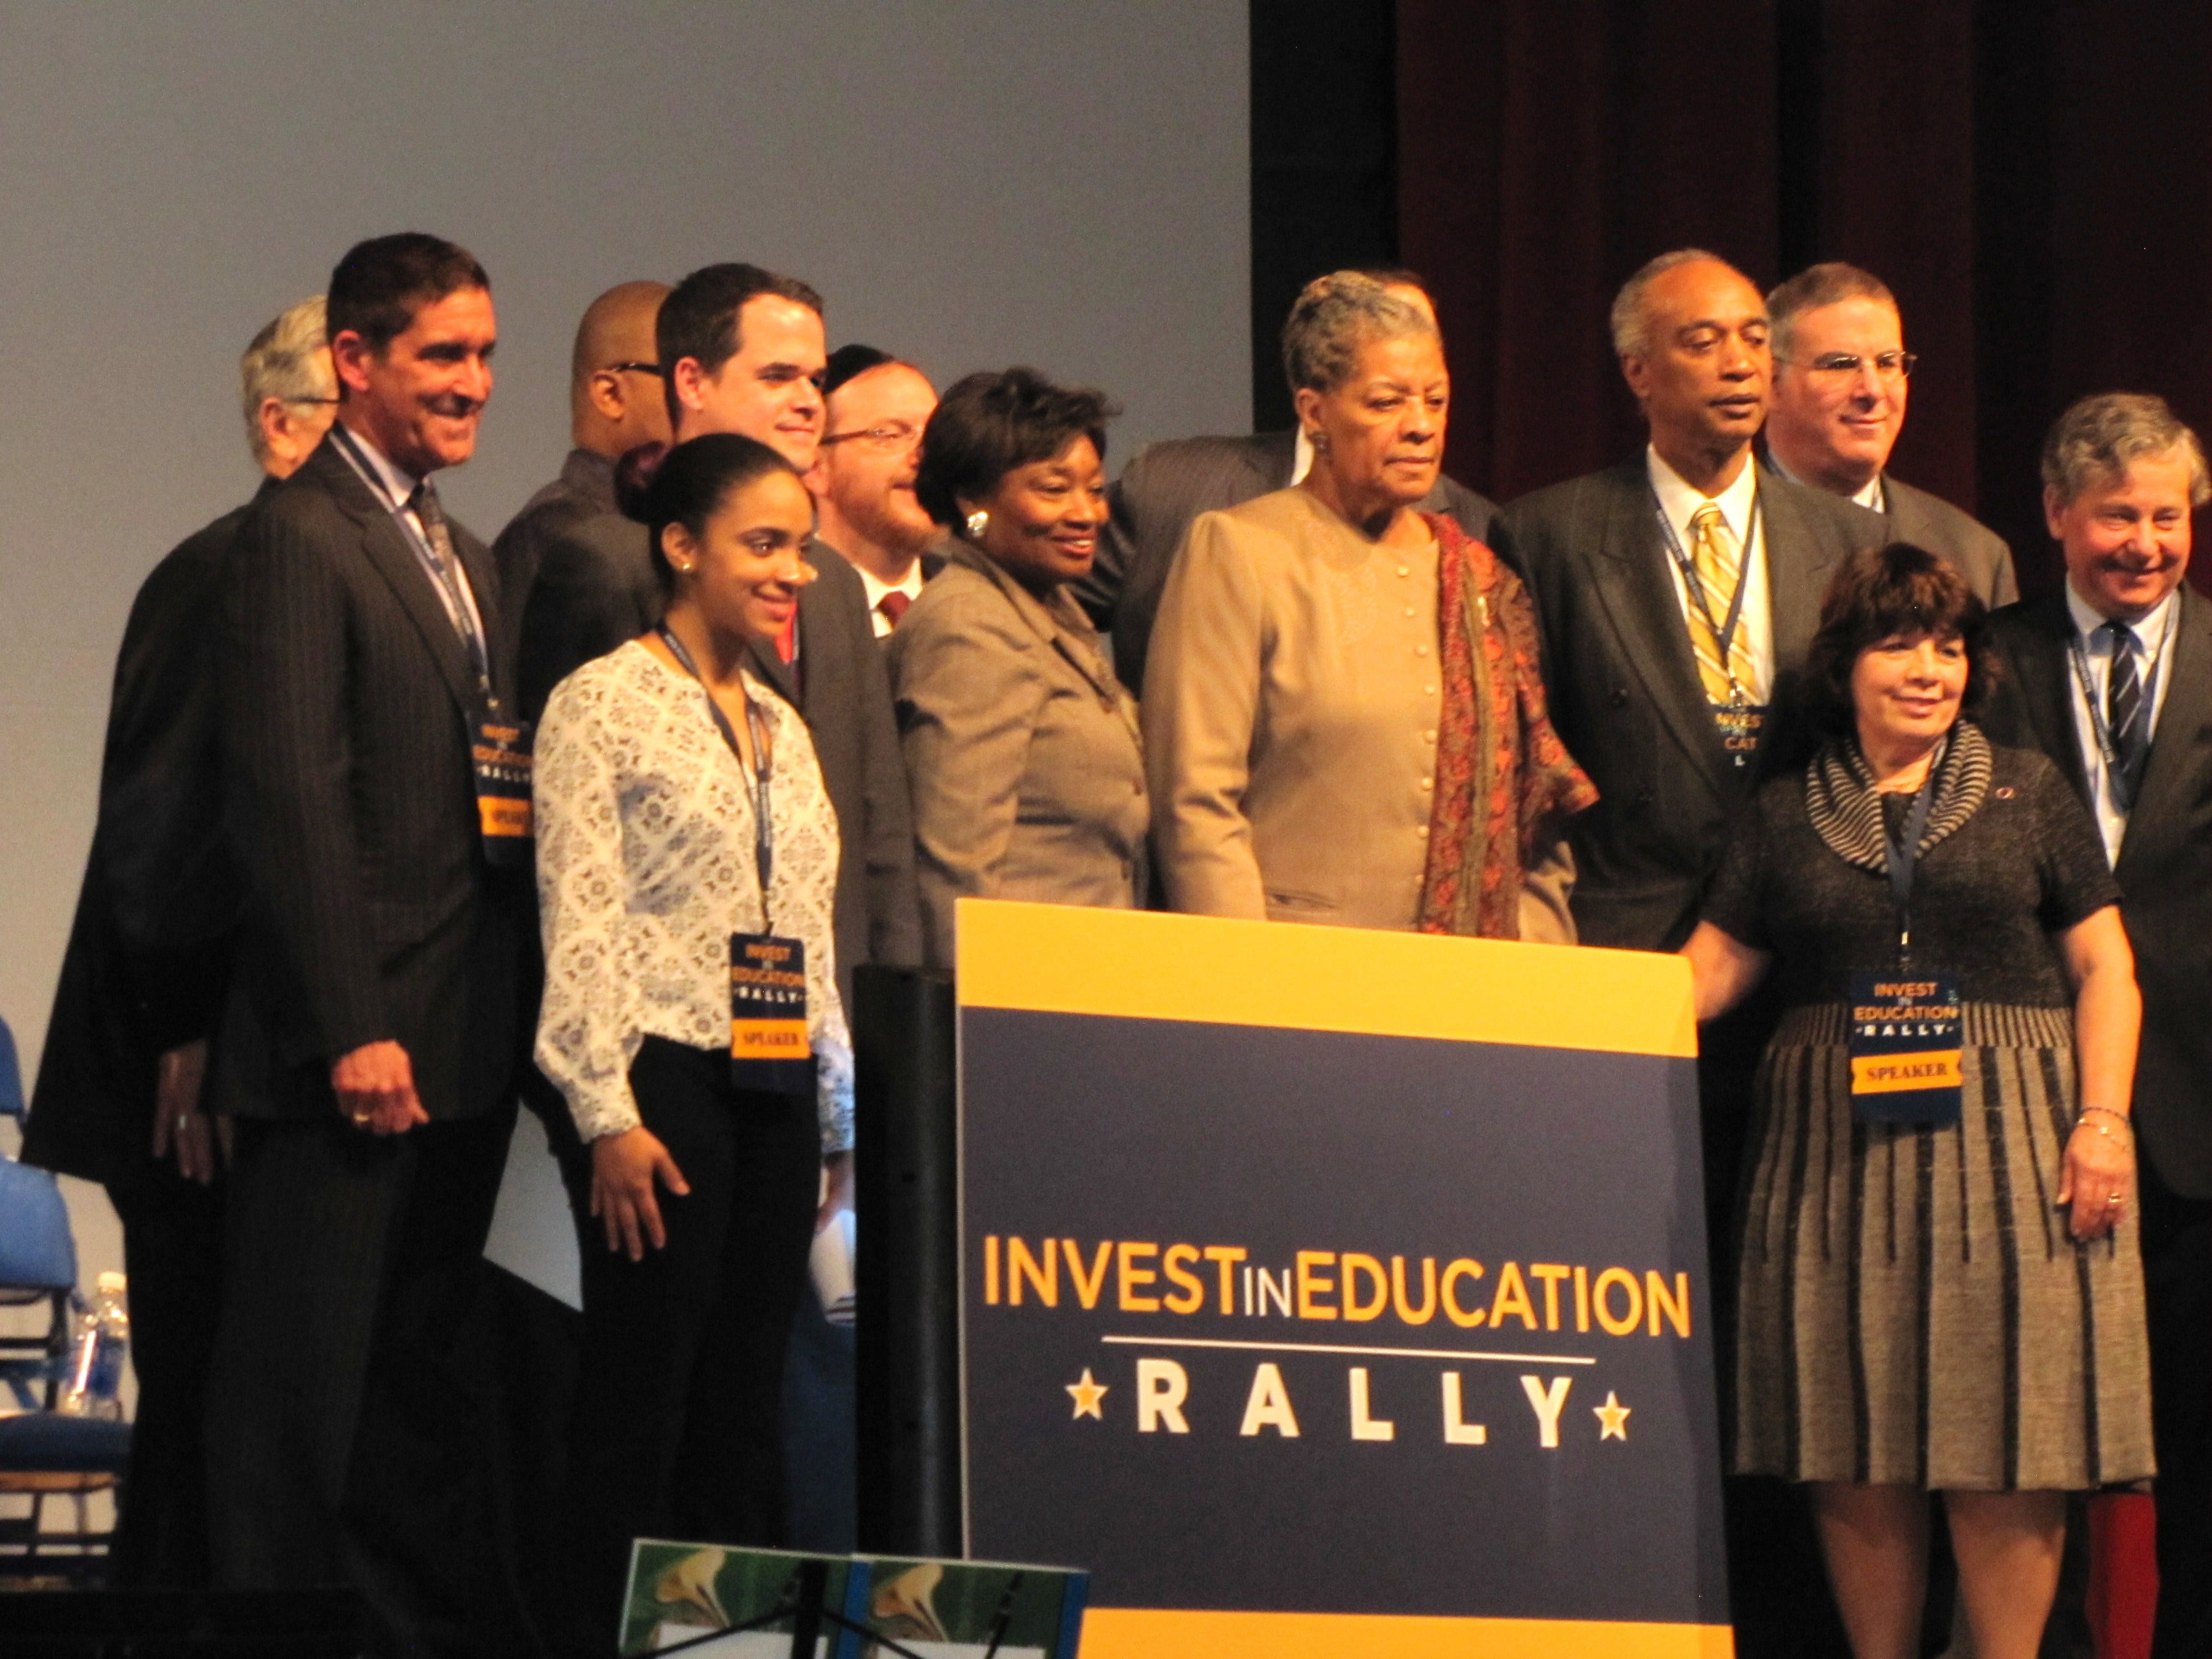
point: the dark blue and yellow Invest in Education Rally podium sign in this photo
(1335, 1293)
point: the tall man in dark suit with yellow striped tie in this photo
(1678, 594)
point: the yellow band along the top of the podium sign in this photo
(1204, 970)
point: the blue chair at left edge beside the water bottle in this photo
(43, 1452)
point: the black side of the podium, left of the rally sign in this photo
(908, 1271)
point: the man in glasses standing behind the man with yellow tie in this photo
(1841, 375)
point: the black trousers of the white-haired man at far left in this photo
(174, 1253)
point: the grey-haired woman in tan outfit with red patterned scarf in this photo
(1342, 709)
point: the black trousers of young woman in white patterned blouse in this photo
(678, 1423)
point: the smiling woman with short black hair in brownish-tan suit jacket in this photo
(1021, 742)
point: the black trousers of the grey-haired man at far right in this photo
(2178, 1293)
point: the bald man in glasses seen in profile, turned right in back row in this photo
(614, 406)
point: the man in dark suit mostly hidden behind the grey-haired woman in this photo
(1167, 486)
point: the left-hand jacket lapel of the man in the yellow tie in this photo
(1638, 592)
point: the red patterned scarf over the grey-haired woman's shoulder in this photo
(1505, 782)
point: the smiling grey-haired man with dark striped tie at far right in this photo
(2114, 680)
